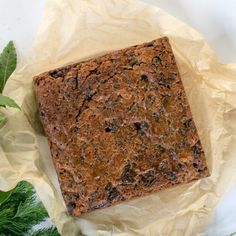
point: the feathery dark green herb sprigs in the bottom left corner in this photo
(20, 210)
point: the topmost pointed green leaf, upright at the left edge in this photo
(8, 62)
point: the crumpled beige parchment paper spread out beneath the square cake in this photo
(73, 30)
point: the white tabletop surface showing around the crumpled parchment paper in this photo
(215, 19)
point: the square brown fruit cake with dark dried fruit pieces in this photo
(119, 126)
